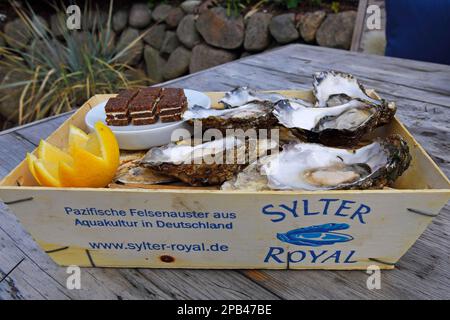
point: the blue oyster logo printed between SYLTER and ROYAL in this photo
(316, 236)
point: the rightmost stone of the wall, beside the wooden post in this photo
(336, 30)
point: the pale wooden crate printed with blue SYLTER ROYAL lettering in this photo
(226, 229)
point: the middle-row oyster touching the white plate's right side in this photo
(253, 115)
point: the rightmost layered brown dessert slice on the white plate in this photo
(172, 104)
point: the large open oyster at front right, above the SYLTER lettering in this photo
(307, 166)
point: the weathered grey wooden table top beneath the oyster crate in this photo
(422, 93)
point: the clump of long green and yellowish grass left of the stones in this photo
(50, 76)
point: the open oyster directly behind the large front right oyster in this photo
(342, 125)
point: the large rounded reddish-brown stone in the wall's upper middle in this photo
(219, 30)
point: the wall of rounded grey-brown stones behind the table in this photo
(180, 40)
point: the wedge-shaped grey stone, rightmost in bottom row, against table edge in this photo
(204, 57)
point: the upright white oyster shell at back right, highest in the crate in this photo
(333, 88)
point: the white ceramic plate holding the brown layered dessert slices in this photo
(144, 137)
